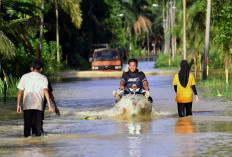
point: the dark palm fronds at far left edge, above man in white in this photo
(13, 32)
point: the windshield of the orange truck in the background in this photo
(106, 56)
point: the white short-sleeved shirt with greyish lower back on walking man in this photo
(33, 84)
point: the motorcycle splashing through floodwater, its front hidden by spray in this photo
(134, 102)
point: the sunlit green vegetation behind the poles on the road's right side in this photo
(220, 34)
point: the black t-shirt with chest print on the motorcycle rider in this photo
(136, 77)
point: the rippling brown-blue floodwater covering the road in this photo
(207, 133)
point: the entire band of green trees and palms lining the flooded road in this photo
(61, 32)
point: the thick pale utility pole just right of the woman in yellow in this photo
(207, 36)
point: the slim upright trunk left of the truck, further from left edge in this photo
(57, 33)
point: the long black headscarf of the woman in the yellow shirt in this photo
(184, 73)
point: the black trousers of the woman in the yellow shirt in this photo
(184, 109)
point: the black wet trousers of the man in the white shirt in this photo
(32, 118)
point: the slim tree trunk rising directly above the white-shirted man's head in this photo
(41, 29)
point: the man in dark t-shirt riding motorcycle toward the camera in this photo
(131, 77)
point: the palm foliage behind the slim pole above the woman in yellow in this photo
(195, 30)
